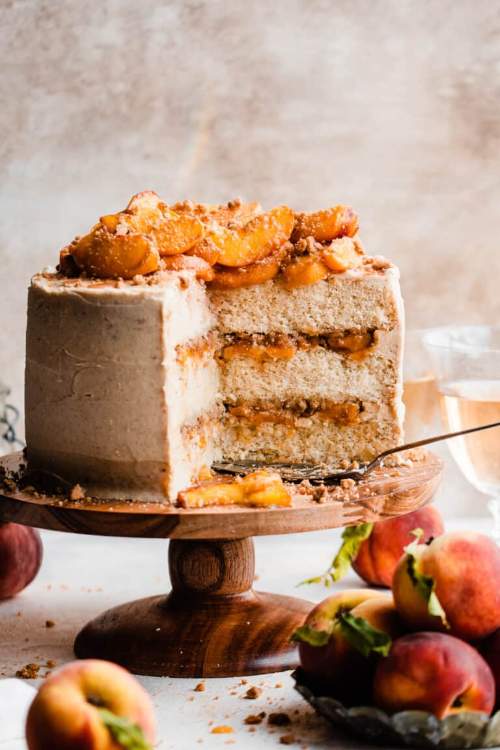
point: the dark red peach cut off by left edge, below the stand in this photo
(21, 553)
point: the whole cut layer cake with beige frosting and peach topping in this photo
(171, 337)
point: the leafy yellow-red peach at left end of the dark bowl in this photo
(340, 637)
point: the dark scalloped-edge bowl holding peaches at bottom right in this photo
(407, 728)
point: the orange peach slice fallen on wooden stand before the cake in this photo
(259, 489)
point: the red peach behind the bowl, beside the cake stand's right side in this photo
(379, 554)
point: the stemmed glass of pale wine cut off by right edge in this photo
(466, 362)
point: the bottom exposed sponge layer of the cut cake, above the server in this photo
(312, 440)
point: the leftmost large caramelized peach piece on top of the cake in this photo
(110, 256)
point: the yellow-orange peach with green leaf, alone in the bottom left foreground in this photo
(77, 707)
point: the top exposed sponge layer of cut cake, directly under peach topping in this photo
(360, 299)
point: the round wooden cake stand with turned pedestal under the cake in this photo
(212, 624)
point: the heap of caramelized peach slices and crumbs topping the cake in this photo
(227, 246)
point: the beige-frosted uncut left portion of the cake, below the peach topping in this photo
(107, 394)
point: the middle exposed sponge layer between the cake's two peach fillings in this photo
(316, 372)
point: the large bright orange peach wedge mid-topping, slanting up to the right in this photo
(255, 240)
